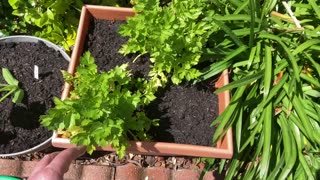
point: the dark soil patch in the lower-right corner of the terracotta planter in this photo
(186, 113)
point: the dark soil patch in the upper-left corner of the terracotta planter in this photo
(104, 42)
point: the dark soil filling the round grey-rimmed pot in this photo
(20, 128)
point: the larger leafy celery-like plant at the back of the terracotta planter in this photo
(174, 36)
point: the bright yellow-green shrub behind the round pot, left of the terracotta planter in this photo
(53, 20)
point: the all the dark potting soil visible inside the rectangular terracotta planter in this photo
(185, 112)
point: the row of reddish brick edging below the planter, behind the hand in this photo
(95, 172)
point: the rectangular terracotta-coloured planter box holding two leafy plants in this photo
(224, 148)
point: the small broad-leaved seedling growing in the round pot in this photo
(11, 88)
